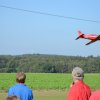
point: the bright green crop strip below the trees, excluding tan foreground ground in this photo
(45, 81)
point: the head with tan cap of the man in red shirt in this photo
(77, 74)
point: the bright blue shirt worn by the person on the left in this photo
(22, 91)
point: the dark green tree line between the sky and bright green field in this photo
(41, 63)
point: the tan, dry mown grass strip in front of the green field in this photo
(43, 95)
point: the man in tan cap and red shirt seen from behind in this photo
(78, 89)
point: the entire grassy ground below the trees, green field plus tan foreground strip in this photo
(46, 86)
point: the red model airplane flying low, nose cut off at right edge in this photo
(91, 37)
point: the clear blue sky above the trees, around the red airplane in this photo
(23, 32)
